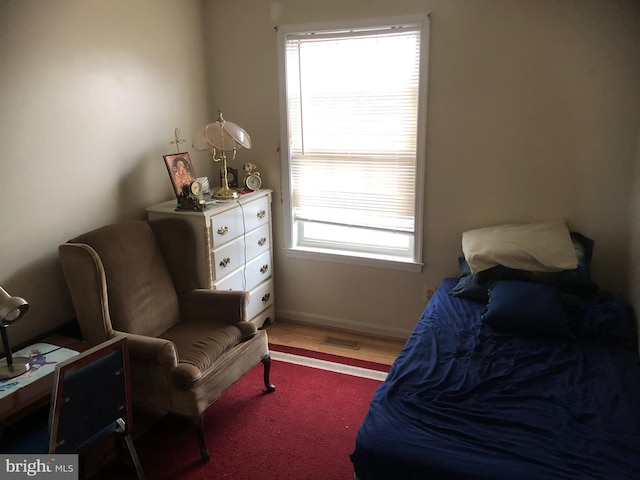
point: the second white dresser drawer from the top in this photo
(231, 256)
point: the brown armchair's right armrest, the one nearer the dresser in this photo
(221, 306)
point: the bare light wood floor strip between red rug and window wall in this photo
(371, 348)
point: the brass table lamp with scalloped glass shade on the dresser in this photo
(222, 136)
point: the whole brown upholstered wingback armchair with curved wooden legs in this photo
(187, 345)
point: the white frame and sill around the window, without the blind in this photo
(293, 247)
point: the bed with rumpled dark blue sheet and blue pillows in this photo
(522, 378)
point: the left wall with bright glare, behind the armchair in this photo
(90, 94)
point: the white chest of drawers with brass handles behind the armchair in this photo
(234, 248)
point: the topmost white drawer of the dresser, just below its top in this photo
(229, 225)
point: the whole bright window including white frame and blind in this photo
(353, 123)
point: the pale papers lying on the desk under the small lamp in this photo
(42, 360)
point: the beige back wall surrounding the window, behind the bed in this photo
(533, 114)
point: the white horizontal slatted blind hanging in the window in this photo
(352, 101)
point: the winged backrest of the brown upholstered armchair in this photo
(119, 277)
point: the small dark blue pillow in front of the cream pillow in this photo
(528, 308)
